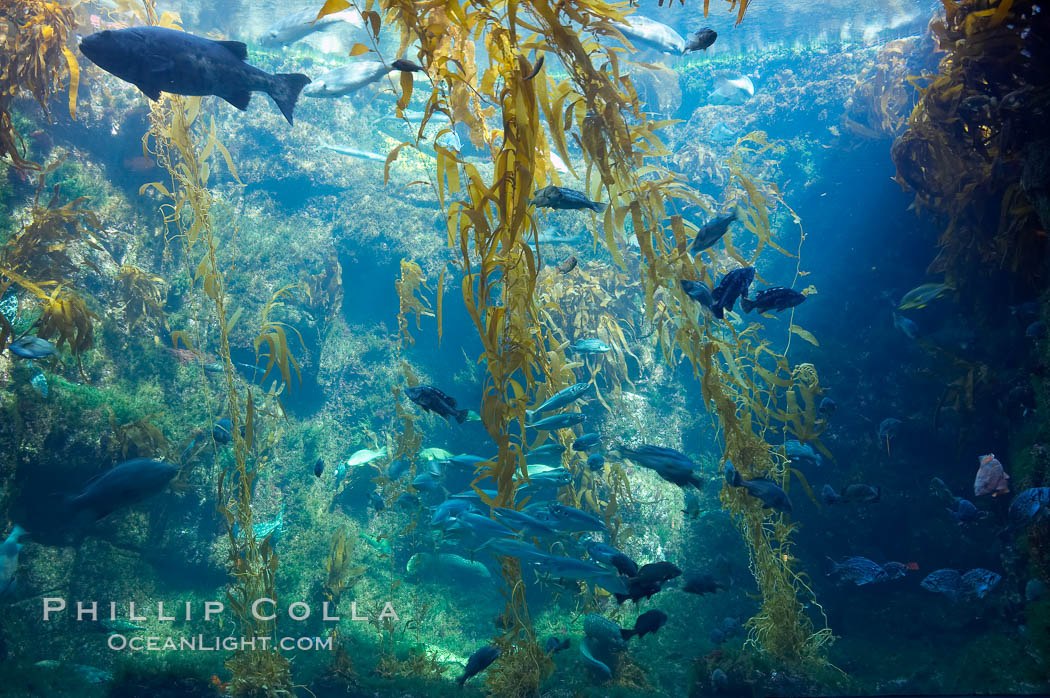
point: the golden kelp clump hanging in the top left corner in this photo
(35, 60)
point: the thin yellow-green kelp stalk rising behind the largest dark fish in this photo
(187, 214)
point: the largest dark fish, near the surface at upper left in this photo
(156, 59)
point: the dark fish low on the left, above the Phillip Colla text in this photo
(122, 487)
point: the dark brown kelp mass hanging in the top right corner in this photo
(967, 150)
